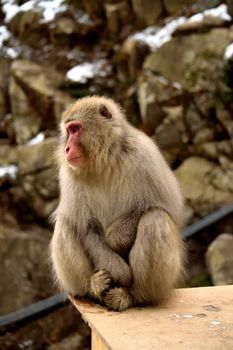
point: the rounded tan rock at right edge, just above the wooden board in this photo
(219, 259)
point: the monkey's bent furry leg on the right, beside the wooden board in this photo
(156, 258)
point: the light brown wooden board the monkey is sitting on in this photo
(194, 319)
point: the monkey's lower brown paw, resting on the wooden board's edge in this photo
(118, 299)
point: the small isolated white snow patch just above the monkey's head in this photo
(88, 70)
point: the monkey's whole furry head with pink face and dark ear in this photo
(91, 131)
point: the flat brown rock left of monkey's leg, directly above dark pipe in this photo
(24, 267)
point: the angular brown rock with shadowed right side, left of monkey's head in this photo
(32, 98)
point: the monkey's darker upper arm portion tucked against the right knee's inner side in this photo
(121, 234)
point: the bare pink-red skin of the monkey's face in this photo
(73, 151)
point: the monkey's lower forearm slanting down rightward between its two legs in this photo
(103, 257)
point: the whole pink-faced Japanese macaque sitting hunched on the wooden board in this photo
(117, 226)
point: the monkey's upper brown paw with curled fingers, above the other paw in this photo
(101, 281)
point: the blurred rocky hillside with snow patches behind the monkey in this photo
(170, 64)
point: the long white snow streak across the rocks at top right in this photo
(155, 37)
